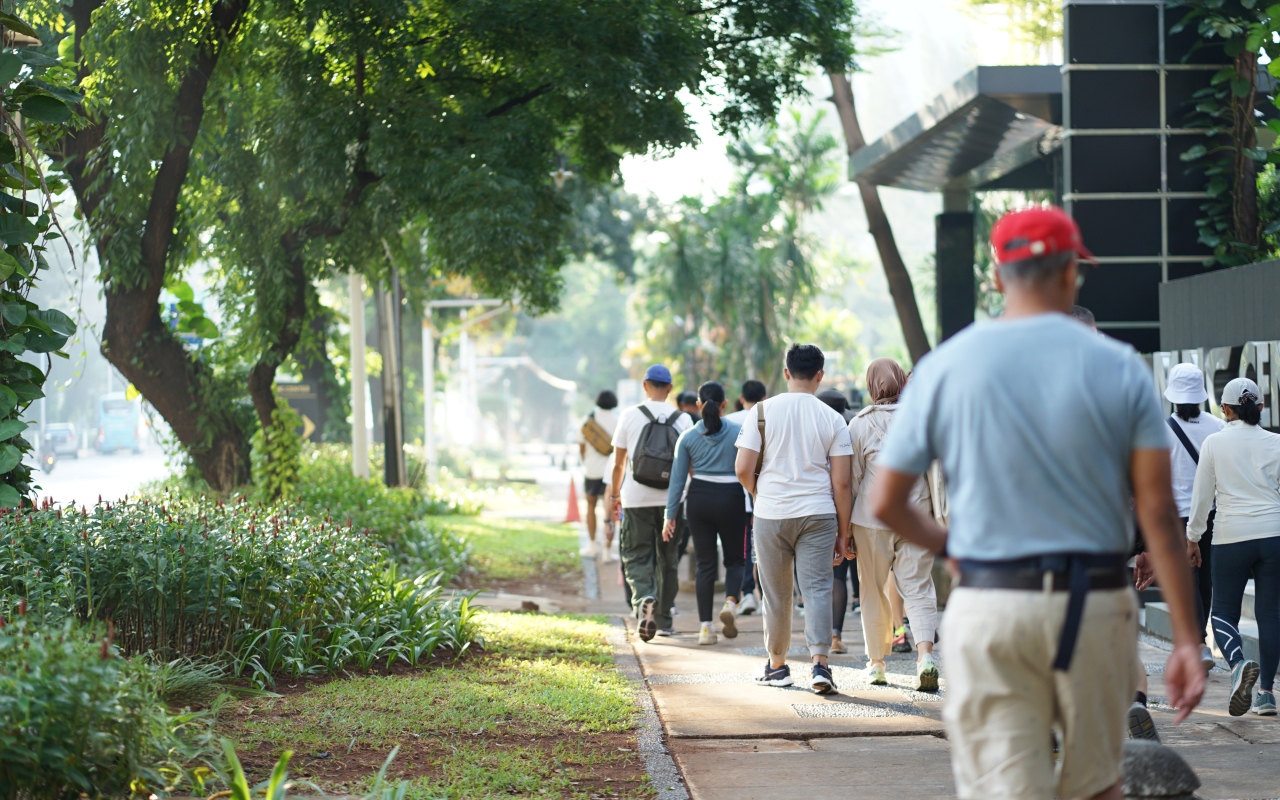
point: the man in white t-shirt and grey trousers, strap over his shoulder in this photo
(803, 504)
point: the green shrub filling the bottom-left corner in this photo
(76, 720)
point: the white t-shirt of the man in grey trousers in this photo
(801, 436)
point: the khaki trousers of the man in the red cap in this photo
(1004, 697)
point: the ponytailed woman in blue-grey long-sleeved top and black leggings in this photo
(714, 509)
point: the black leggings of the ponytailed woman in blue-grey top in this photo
(717, 510)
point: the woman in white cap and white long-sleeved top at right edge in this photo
(1240, 468)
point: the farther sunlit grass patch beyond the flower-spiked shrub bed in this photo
(519, 551)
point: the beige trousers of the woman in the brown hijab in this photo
(883, 554)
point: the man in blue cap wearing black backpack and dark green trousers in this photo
(644, 446)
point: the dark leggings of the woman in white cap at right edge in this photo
(1233, 568)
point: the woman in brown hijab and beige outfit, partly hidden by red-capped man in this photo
(881, 552)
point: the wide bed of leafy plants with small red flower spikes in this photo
(267, 591)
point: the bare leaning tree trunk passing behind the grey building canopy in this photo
(895, 269)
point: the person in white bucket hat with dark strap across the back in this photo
(1188, 428)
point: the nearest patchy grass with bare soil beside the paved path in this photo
(540, 714)
